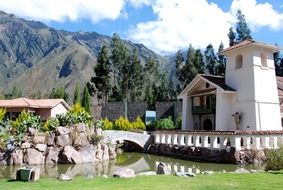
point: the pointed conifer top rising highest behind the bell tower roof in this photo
(243, 31)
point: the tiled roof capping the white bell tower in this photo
(247, 43)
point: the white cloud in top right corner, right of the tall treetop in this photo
(259, 14)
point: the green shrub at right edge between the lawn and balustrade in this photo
(274, 159)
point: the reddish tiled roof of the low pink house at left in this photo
(33, 103)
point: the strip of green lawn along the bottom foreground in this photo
(217, 181)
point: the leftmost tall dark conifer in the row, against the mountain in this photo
(100, 84)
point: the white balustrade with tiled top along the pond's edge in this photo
(221, 139)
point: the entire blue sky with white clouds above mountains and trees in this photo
(162, 25)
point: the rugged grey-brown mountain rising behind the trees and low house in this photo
(36, 58)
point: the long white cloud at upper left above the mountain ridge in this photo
(61, 10)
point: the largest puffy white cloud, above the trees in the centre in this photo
(181, 22)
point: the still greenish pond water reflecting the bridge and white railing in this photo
(137, 161)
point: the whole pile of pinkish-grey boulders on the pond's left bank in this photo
(63, 145)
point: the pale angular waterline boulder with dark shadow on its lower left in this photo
(71, 156)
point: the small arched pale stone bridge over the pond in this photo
(141, 139)
